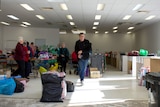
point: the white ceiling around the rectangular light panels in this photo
(83, 13)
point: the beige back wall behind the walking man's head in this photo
(103, 42)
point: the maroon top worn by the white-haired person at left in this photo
(19, 52)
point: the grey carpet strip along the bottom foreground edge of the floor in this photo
(10, 102)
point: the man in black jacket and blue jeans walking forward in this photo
(82, 49)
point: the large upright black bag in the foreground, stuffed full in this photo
(52, 88)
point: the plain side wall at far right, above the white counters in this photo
(148, 38)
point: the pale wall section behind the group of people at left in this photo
(11, 34)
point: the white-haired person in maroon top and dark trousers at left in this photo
(20, 57)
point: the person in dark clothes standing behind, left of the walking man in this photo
(63, 57)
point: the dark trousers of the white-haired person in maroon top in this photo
(21, 68)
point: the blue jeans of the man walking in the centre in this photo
(82, 64)
